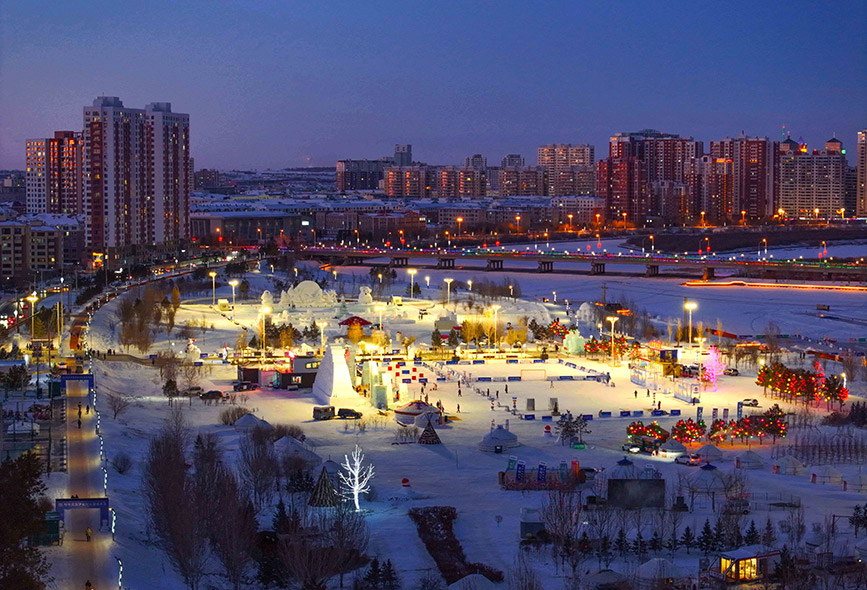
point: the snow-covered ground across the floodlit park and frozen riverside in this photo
(456, 473)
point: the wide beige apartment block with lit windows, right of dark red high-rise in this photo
(812, 184)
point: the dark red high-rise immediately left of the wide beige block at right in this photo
(755, 170)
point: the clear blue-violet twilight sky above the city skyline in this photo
(277, 84)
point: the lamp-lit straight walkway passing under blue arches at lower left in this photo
(87, 561)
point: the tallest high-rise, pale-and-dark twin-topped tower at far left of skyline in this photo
(137, 174)
